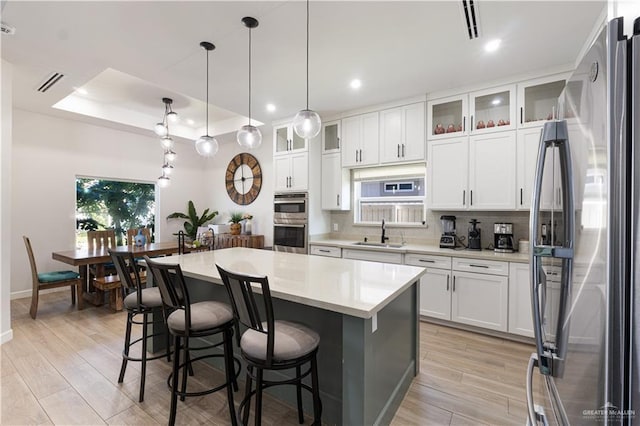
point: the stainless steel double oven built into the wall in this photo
(291, 222)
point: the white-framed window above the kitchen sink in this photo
(395, 194)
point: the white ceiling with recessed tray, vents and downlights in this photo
(129, 55)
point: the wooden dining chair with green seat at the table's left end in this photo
(48, 280)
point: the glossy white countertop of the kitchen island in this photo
(352, 287)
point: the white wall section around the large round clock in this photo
(262, 206)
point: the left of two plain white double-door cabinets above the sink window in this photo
(360, 140)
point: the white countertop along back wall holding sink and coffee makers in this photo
(428, 249)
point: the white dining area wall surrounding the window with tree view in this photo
(48, 153)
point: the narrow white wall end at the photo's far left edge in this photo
(5, 203)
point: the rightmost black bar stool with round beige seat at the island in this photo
(270, 344)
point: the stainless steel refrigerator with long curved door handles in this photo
(585, 243)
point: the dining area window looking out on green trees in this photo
(111, 204)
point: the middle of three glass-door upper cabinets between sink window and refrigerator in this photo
(493, 109)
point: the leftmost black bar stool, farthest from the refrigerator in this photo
(138, 300)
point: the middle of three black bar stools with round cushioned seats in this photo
(192, 320)
